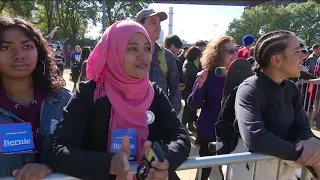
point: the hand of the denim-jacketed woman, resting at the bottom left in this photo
(31, 171)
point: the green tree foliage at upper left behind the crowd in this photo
(71, 16)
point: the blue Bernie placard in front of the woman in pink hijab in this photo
(117, 135)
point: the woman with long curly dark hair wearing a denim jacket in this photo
(31, 91)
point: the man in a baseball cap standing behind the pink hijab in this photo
(163, 68)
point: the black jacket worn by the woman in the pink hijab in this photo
(80, 141)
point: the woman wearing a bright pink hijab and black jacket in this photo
(118, 100)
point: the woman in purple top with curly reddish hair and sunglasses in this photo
(207, 91)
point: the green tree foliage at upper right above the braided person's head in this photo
(301, 18)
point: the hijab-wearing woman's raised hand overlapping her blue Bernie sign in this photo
(120, 161)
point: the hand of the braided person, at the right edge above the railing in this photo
(311, 151)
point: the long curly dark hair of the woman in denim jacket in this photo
(45, 78)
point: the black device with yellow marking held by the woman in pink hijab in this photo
(155, 153)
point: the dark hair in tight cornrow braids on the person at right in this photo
(268, 45)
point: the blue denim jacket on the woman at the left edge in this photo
(51, 114)
